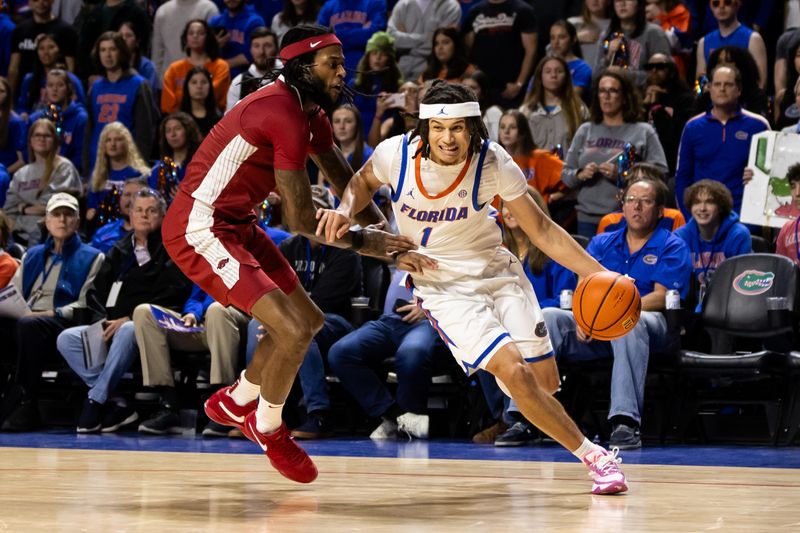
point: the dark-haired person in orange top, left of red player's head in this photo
(201, 50)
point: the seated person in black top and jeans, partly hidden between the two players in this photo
(330, 276)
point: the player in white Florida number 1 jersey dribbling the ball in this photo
(443, 177)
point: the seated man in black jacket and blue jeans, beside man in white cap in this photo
(136, 270)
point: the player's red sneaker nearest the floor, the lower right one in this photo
(283, 452)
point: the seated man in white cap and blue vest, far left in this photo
(54, 279)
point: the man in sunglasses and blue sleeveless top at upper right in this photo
(731, 32)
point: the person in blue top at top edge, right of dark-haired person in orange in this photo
(232, 28)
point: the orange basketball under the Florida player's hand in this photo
(606, 305)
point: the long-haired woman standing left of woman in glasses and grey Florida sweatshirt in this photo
(553, 108)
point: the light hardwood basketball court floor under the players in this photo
(50, 489)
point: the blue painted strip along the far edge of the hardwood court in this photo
(743, 456)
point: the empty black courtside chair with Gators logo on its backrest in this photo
(746, 366)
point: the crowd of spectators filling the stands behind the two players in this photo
(628, 118)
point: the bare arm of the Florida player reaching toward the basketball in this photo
(551, 238)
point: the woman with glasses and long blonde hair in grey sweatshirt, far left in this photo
(34, 183)
